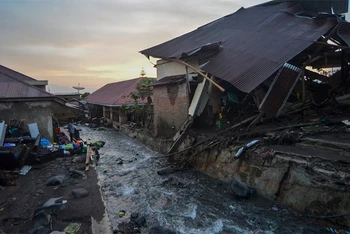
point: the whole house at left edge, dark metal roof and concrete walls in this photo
(24, 100)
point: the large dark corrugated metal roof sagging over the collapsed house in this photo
(255, 42)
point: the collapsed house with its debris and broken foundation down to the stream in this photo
(255, 66)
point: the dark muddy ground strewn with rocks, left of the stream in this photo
(18, 203)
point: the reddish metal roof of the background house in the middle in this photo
(115, 94)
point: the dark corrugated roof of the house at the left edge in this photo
(15, 87)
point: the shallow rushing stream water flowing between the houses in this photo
(185, 202)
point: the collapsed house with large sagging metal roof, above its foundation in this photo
(267, 53)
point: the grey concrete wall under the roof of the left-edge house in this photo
(29, 112)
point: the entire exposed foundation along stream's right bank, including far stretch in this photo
(312, 177)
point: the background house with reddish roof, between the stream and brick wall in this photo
(112, 101)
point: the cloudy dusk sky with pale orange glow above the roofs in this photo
(94, 42)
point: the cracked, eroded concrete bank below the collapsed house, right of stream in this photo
(311, 185)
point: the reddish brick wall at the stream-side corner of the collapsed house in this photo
(171, 104)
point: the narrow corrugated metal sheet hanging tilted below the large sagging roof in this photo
(280, 90)
